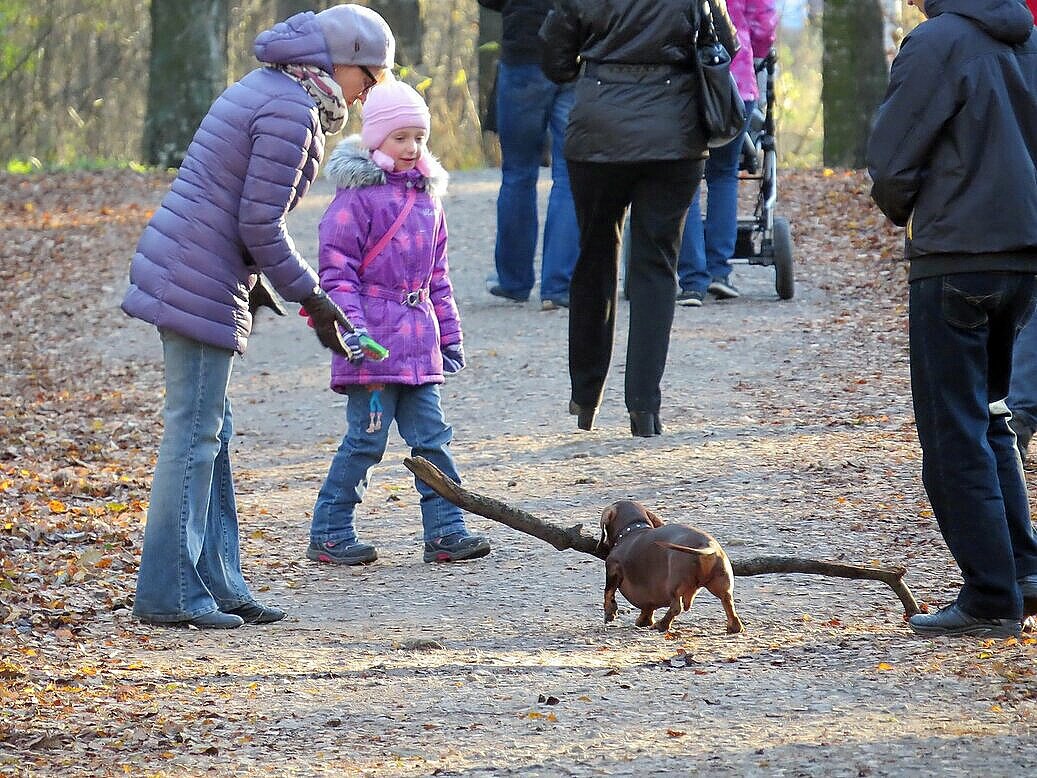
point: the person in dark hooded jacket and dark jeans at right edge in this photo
(954, 158)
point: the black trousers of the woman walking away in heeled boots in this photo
(658, 194)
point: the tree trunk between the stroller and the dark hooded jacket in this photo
(855, 78)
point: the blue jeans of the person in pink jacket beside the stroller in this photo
(707, 248)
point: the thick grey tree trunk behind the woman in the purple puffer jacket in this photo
(188, 70)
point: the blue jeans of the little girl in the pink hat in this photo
(419, 420)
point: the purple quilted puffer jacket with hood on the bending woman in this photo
(254, 157)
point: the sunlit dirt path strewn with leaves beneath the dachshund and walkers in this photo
(789, 431)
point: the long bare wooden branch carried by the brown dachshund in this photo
(576, 540)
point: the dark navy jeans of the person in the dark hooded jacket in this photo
(963, 328)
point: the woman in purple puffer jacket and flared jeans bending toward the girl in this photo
(195, 268)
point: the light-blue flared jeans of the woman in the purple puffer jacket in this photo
(190, 564)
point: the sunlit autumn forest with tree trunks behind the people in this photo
(104, 84)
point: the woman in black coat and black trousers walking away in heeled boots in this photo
(634, 142)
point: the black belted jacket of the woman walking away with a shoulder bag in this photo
(637, 91)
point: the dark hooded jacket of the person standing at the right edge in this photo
(954, 153)
